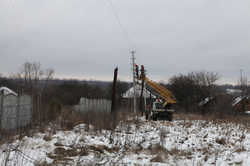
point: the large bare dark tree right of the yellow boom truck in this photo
(192, 88)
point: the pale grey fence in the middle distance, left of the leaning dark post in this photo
(98, 105)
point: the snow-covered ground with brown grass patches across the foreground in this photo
(135, 142)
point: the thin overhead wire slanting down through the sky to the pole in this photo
(122, 27)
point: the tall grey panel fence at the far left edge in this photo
(15, 111)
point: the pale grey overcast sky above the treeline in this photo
(83, 39)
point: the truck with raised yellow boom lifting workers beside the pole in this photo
(161, 107)
